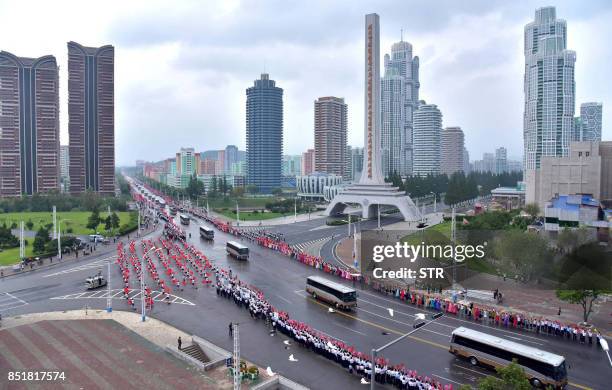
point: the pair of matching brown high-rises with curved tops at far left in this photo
(29, 122)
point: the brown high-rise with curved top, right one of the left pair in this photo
(91, 118)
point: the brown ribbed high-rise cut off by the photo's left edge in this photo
(29, 125)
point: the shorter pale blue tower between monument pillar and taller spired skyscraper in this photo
(393, 120)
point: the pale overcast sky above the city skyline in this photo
(182, 67)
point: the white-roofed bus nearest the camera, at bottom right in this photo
(542, 368)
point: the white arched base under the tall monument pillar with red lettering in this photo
(372, 196)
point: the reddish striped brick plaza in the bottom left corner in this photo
(95, 354)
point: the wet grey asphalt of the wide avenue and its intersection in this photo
(282, 281)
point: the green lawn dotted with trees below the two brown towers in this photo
(77, 220)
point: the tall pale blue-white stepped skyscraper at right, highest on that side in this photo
(549, 89)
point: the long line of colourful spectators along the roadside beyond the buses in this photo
(435, 301)
